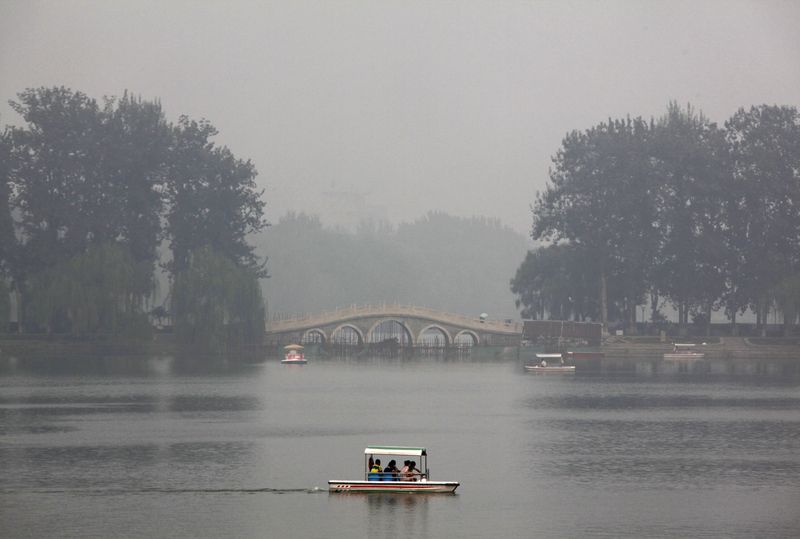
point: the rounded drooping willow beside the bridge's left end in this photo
(216, 303)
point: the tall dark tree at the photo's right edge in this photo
(765, 218)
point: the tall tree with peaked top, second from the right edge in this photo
(693, 182)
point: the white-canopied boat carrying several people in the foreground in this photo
(417, 481)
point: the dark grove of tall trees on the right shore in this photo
(675, 210)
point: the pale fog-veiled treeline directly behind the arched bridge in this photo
(461, 265)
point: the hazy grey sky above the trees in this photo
(455, 106)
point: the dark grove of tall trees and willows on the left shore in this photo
(91, 191)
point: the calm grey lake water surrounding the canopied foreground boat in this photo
(159, 448)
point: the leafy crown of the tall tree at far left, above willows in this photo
(57, 186)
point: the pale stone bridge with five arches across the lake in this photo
(404, 324)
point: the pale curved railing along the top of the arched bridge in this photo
(285, 323)
